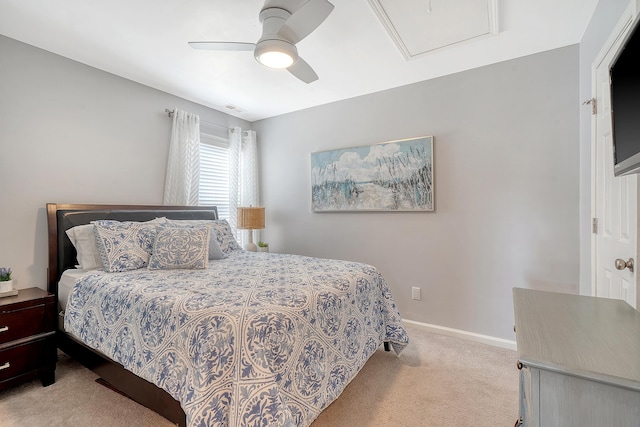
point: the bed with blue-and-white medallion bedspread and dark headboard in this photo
(247, 339)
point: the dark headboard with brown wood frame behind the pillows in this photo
(61, 217)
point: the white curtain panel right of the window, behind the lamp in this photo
(243, 177)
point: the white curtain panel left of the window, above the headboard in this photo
(183, 166)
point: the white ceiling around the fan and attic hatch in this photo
(352, 52)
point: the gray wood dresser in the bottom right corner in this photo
(579, 360)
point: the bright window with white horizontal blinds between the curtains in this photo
(214, 173)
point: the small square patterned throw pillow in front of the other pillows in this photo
(180, 247)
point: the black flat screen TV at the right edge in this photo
(624, 78)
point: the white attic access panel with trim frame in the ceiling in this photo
(419, 27)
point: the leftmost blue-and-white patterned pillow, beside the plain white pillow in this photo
(125, 245)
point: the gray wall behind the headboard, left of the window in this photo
(70, 133)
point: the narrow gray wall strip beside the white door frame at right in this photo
(602, 23)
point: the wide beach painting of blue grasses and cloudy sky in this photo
(393, 176)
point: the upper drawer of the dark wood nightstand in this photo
(22, 322)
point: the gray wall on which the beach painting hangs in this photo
(506, 166)
